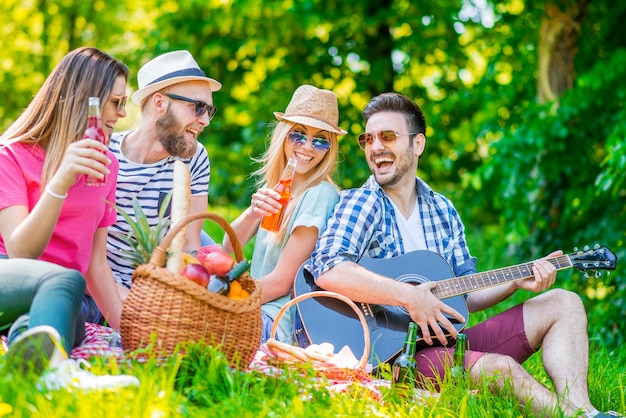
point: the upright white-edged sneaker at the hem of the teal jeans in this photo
(35, 350)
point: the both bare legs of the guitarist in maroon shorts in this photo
(557, 321)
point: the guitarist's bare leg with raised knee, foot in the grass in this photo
(557, 321)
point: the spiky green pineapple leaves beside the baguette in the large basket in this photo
(143, 239)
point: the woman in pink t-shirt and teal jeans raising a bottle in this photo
(53, 226)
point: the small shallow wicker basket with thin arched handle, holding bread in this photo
(289, 354)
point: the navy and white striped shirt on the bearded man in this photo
(150, 184)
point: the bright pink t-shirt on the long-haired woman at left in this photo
(84, 210)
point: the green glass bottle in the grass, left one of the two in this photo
(404, 368)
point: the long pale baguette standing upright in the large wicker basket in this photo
(181, 197)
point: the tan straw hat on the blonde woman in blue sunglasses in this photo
(313, 107)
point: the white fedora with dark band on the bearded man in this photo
(168, 69)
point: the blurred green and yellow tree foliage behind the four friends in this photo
(524, 100)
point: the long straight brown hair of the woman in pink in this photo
(57, 115)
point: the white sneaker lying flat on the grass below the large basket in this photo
(70, 375)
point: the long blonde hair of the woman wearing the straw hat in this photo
(274, 162)
